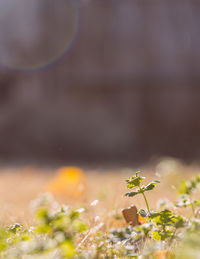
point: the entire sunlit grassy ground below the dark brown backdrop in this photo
(101, 195)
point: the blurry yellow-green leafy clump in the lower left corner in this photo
(54, 236)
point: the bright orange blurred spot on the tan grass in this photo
(68, 181)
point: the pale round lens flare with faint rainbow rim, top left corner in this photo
(36, 33)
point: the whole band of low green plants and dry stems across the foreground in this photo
(61, 233)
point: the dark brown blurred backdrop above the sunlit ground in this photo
(99, 81)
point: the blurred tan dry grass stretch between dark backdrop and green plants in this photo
(19, 186)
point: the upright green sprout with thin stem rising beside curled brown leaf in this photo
(135, 183)
